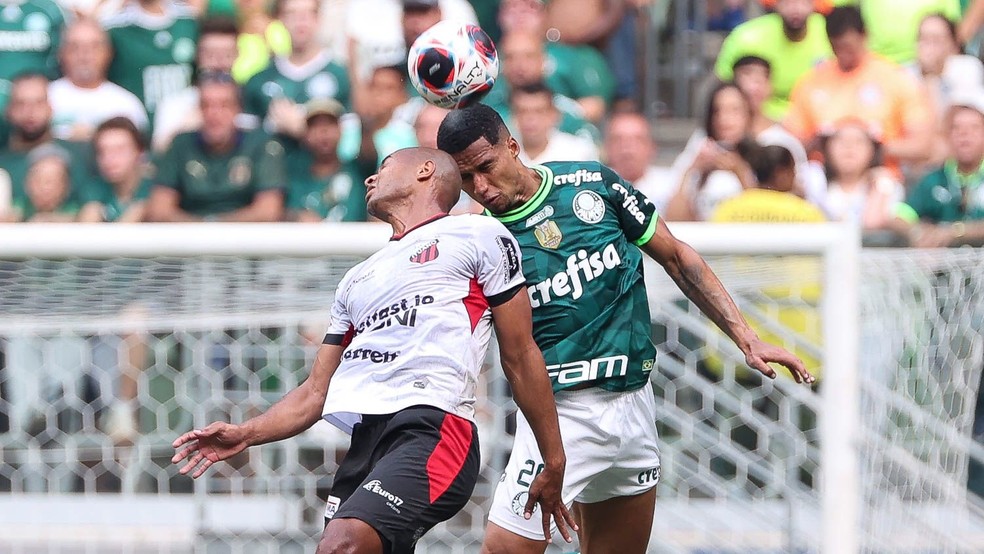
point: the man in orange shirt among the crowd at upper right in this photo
(858, 83)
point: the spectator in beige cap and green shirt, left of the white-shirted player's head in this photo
(323, 187)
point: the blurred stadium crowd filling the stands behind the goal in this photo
(869, 111)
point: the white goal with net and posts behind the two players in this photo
(114, 340)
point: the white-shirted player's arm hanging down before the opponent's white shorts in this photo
(523, 365)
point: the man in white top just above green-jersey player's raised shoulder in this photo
(630, 149)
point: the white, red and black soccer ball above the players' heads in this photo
(453, 65)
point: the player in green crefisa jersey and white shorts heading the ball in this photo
(581, 228)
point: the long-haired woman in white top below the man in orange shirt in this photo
(859, 190)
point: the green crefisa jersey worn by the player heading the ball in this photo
(579, 235)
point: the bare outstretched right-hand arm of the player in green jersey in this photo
(694, 277)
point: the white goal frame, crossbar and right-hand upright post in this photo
(836, 245)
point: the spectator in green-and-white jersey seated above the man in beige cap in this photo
(277, 94)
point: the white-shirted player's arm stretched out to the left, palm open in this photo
(291, 415)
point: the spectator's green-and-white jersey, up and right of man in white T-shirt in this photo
(153, 54)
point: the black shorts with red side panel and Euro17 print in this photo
(405, 473)
